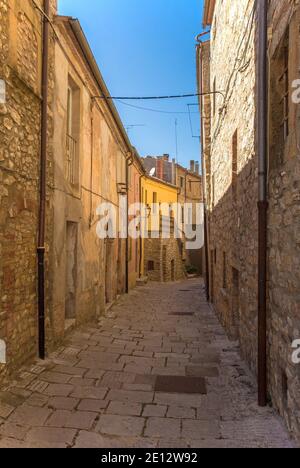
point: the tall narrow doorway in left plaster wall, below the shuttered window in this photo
(71, 270)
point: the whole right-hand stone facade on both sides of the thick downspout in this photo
(228, 64)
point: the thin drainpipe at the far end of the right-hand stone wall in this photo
(206, 238)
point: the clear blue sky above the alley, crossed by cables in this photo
(147, 47)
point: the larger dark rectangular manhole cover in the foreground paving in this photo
(174, 384)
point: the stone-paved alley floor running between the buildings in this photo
(98, 390)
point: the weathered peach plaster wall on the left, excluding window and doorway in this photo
(100, 265)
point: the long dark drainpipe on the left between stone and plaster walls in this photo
(43, 176)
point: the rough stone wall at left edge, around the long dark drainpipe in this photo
(20, 127)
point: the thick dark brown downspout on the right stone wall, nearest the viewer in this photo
(262, 12)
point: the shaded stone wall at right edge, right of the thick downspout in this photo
(284, 224)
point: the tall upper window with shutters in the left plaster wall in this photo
(73, 131)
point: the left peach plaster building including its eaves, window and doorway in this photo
(91, 157)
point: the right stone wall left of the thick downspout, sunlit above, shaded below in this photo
(232, 213)
